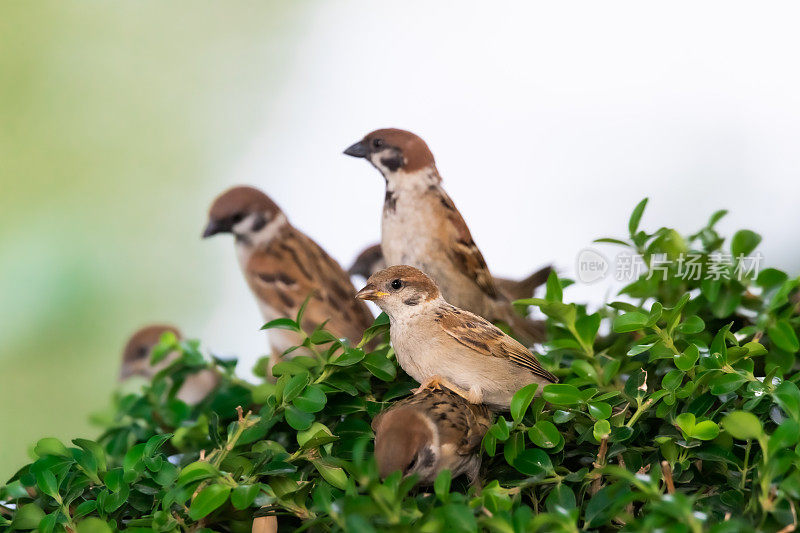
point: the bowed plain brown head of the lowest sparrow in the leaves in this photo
(405, 441)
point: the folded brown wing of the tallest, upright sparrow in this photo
(463, 250)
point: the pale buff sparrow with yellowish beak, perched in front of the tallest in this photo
(436, 342)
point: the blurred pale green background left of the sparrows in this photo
(114, 120)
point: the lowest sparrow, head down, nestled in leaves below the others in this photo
(428, 432)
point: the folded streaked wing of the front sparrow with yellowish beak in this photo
(485, 338)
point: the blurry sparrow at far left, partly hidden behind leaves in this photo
(136, 362)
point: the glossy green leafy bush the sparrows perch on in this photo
(680, 412)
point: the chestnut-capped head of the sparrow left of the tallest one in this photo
(244, 211)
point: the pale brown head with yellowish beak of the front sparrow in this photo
(398, 289)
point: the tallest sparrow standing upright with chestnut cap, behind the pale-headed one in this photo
(422, 227)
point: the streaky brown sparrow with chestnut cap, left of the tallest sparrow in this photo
(283, 267)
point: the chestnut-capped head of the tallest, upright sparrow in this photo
(392, 151)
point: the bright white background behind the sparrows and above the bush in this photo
(548, 122)
